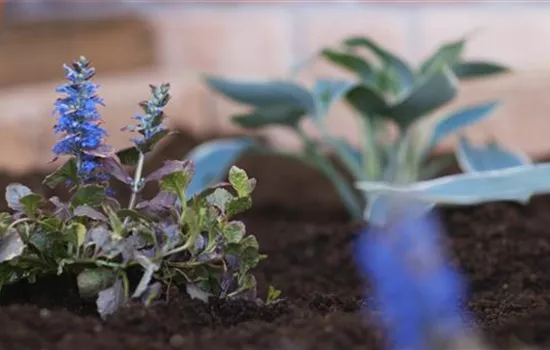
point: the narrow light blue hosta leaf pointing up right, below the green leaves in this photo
(460, 119)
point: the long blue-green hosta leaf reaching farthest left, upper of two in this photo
(263, 94)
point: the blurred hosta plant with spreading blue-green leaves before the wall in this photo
(385, 92)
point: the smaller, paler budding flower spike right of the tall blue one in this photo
(150, 125)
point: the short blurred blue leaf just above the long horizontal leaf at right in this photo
(487, 157)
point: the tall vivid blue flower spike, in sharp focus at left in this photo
(79, 120)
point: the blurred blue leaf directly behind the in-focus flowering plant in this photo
(212, 161)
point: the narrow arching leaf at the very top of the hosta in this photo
(404, 73)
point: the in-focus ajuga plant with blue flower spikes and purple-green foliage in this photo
(185, 235)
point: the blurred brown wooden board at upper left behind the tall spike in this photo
(32, 52)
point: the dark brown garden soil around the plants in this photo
(504, 249)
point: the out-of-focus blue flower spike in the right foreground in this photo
(415, 289)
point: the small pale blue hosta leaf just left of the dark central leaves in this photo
(326, 92)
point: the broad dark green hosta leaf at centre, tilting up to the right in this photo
(433, 92)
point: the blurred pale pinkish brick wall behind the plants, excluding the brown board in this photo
(265, 39)
